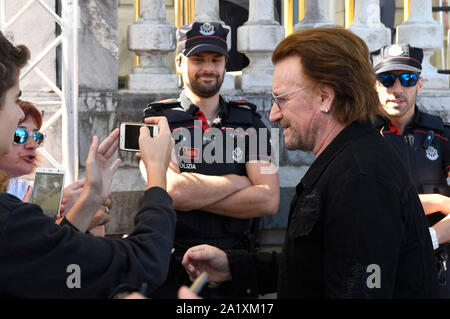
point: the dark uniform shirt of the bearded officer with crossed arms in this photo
(219, 148)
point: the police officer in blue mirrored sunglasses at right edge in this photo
(421, 139)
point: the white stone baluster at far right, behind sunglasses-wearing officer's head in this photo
(421, 30)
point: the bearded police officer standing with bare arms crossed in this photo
(222, 177)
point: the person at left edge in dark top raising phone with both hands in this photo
(40, 259)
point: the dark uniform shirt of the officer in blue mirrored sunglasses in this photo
(424, 149)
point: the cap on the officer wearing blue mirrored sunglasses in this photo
(397, 57)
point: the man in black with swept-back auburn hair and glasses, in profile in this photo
(356, 228)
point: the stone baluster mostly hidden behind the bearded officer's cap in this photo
(208, 11)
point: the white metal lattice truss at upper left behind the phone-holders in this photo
(68, 93)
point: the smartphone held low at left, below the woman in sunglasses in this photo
(48, 190)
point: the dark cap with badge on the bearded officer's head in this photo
(202, 37)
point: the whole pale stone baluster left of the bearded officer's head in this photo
(152, 37)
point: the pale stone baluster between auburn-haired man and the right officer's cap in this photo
(367, 24)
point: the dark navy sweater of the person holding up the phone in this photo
(40, 259)
